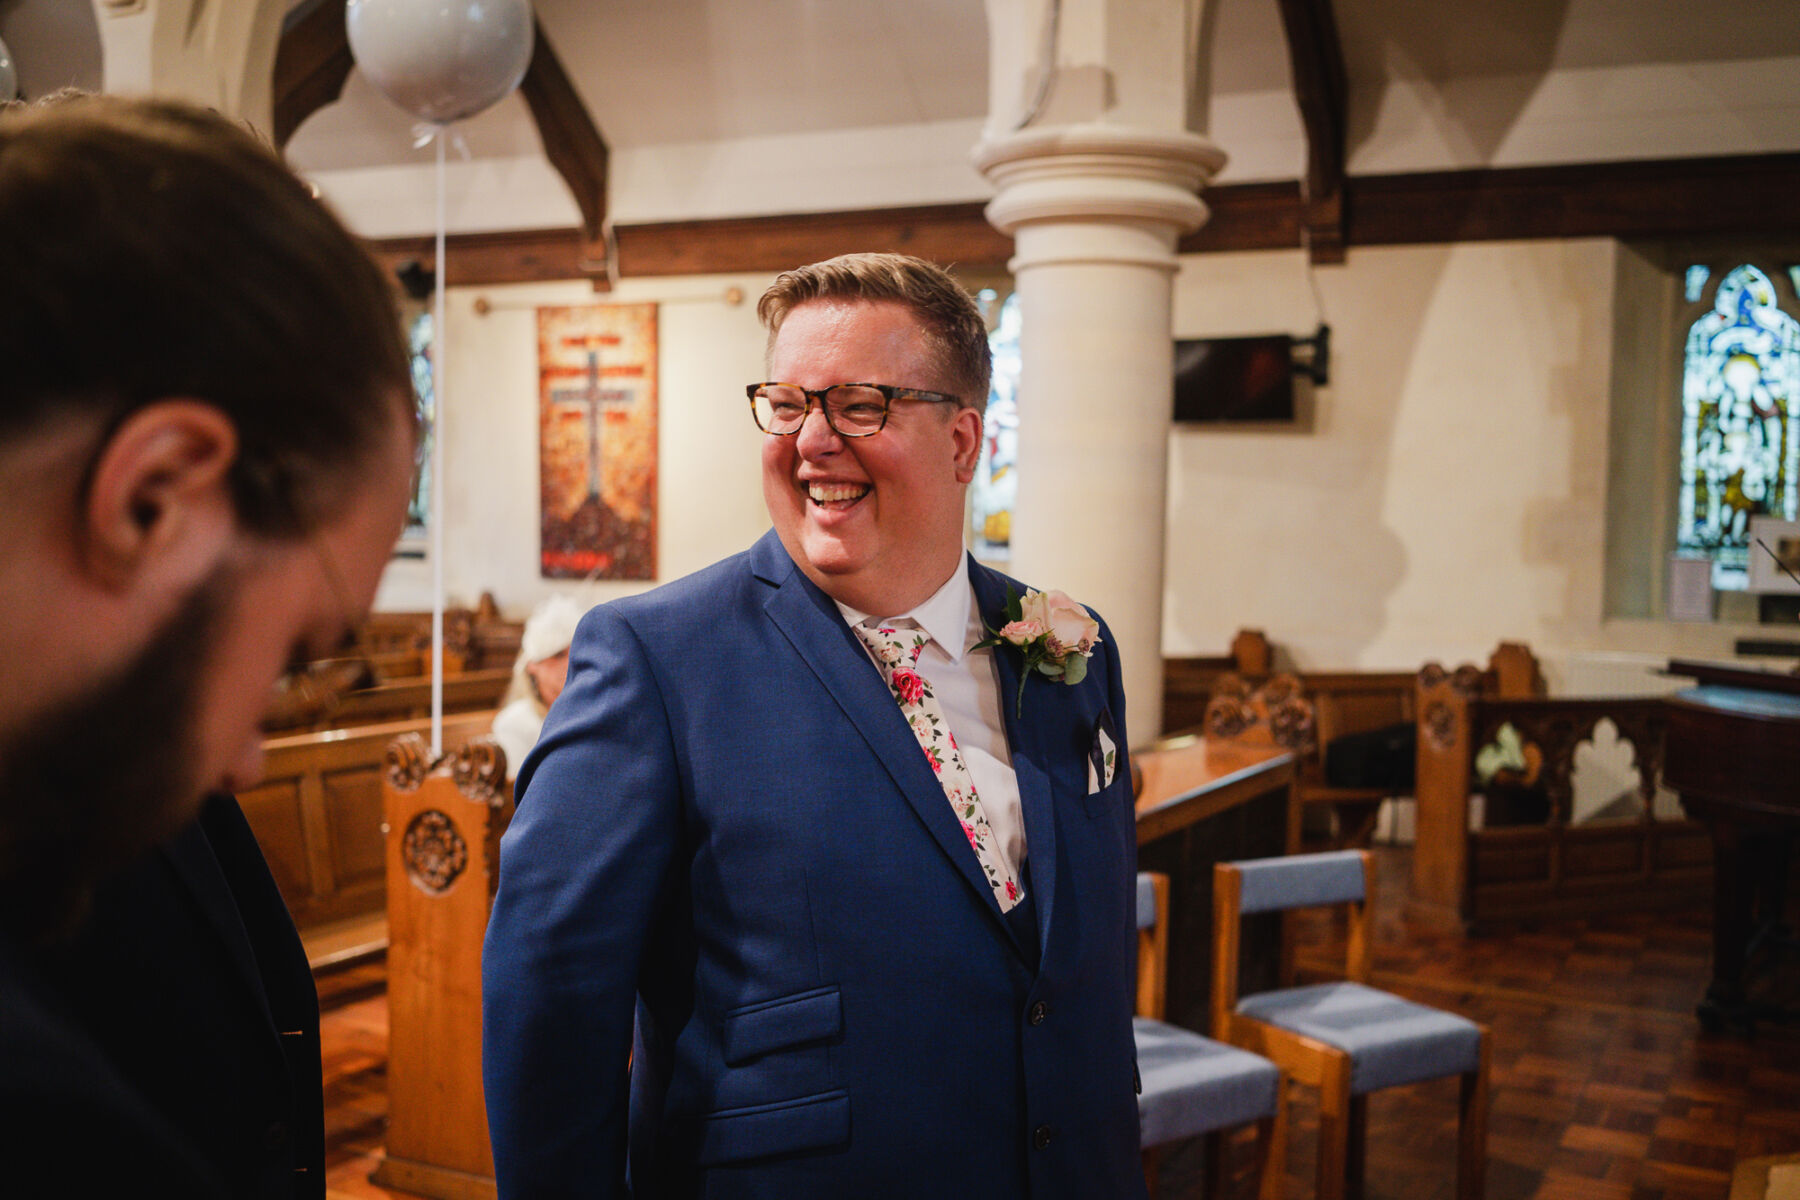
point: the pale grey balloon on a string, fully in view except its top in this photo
(442, 60)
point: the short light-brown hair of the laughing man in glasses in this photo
(946, 312)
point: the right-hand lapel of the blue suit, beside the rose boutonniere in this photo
(1027, 737)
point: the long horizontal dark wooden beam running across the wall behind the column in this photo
(1653, 201)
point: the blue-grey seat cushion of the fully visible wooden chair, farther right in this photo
(1390, 1041)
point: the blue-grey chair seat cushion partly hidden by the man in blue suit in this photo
(1194, 1086)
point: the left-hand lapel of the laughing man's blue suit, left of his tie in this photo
(816, 631)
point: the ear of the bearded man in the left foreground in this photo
(157, 501)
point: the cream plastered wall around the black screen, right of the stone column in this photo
(1446, 490)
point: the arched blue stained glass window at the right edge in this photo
(1740, 422)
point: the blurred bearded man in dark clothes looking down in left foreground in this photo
(206, 445)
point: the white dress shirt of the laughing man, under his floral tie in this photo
(969, 690)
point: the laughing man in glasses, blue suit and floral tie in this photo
(867, 900)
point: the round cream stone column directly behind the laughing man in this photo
(1097, 179)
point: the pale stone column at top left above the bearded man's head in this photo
(217, 55)
